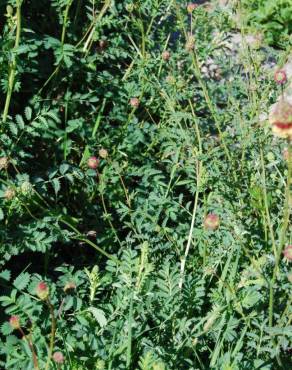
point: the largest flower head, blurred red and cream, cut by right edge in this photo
(280, 118)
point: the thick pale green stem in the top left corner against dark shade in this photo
(13, 65)
